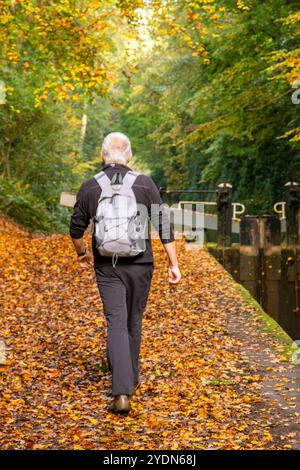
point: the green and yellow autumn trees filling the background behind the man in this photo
(204, 95)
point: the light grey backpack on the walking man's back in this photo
(118, 226)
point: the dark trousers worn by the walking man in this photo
(124, 291)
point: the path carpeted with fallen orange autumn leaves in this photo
(212, 377)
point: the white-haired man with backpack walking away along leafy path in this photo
(123, 260)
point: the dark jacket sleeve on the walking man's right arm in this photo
(159, 215)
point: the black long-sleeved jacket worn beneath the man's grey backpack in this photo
(145, 192)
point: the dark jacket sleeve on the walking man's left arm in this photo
(80, 218)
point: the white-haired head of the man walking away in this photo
(116, 148)
